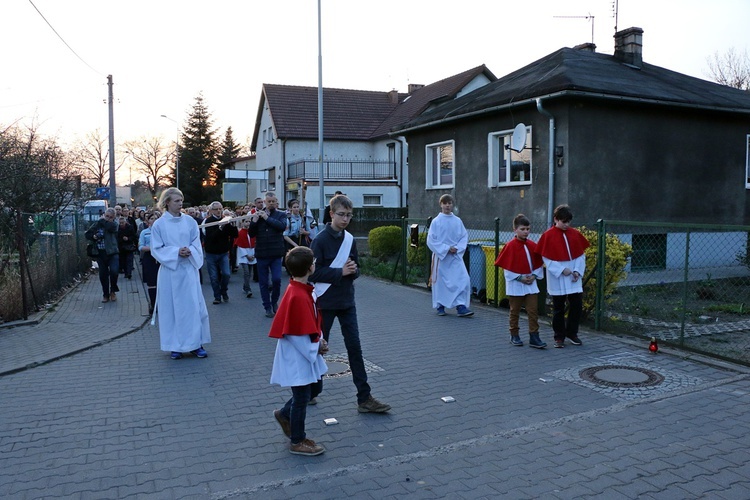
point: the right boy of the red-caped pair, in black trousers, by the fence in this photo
(563, 250)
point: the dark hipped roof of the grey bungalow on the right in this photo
(572, 70)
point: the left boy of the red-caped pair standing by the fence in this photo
(522, 267)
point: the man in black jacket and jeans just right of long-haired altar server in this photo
(217, 243)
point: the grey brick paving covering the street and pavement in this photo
(113, 417)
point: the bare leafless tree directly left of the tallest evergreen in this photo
(154, 157)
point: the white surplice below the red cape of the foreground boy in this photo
(297, 362)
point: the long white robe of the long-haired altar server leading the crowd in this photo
(180, 306)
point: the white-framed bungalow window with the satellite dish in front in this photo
(507, 167)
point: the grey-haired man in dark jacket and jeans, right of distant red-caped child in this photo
(267, 227)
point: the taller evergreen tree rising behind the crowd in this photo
(199, 157)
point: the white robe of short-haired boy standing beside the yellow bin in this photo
(451, 285)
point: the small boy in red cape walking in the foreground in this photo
(298, 362)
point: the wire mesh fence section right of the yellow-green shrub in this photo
(687, 285)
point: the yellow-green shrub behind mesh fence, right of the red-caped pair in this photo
(614, 269)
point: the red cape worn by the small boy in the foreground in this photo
(297, 313)
